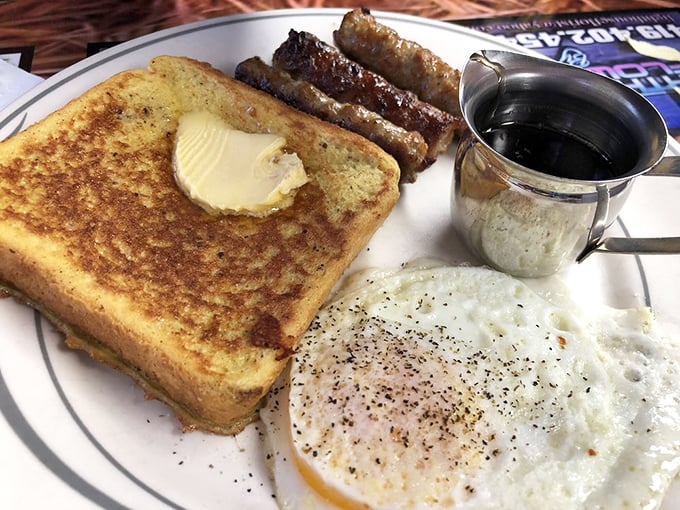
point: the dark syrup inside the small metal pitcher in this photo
(548, 151)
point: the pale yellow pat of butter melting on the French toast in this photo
(225, 170)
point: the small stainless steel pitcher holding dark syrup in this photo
(548, 160)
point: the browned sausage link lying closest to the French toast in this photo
(407, 147)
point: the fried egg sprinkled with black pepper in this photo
(461, 387)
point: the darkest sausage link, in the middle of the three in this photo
(307, 58)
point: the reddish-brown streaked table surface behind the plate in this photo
(60, 30)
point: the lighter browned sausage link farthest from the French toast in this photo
(405, 63)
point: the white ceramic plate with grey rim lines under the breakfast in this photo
(75, 434)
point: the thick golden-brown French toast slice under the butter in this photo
(203, 311)
